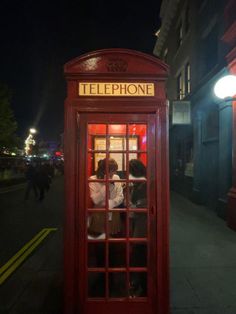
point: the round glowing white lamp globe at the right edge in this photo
(225, 87)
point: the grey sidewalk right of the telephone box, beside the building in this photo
(203, 261)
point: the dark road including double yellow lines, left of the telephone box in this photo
(31, 251)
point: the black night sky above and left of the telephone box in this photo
(38, 37)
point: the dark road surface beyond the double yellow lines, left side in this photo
(21, 220)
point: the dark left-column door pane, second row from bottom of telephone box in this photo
(96, 255)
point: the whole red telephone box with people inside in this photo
(116, 247)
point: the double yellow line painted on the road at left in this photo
(7, 269)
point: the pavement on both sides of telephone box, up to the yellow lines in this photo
(203, 268)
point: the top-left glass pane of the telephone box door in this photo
(96, 137)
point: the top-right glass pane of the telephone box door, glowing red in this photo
(137, 137)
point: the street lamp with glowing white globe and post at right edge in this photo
(225, 89)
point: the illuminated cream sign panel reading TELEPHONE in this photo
(116, 89)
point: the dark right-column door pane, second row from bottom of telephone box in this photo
(138, 255)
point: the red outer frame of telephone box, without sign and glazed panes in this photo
(129, 66)
